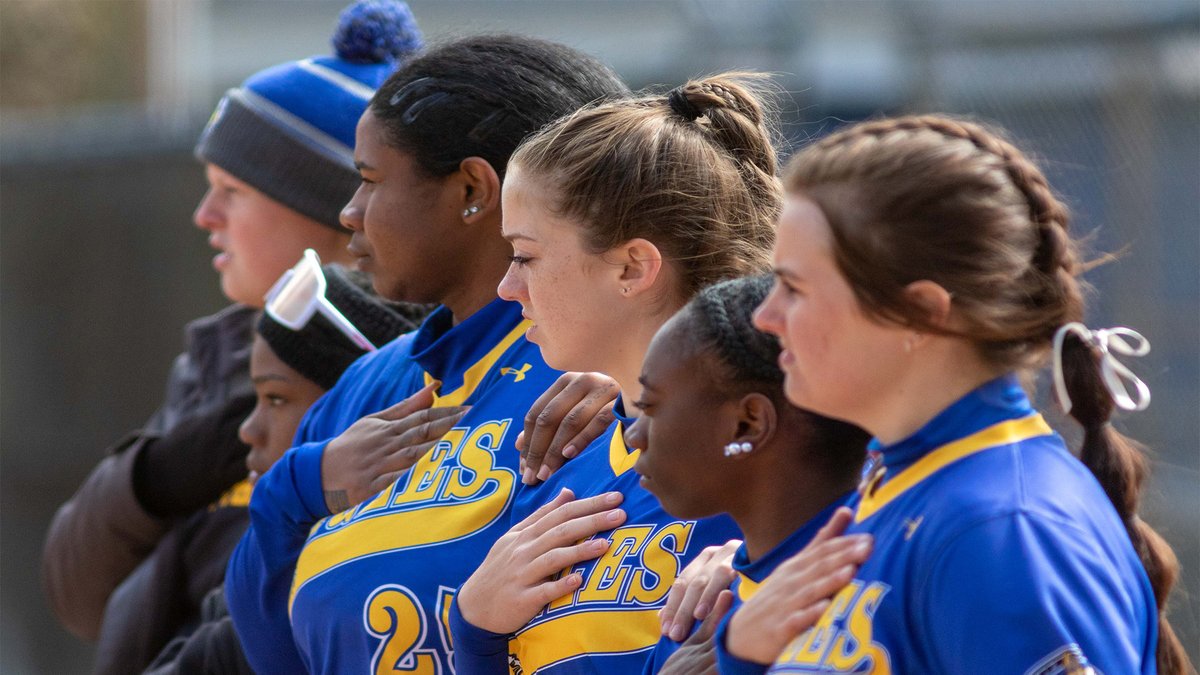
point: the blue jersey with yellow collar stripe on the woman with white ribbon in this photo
(995, 552)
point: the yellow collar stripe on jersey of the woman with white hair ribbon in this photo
(1003, 434)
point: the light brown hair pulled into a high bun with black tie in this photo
(693, 172)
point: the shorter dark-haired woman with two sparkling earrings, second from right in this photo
(717, 435)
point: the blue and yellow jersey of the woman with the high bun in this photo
(610, 624)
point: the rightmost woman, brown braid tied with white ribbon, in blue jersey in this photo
(923, 265)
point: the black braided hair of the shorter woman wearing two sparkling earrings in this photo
(743, 360)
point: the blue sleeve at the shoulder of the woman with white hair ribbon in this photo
(1027, 594)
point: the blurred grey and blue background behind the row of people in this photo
(101, 103)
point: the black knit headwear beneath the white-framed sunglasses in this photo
(320, 351)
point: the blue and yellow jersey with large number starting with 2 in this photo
(368, 590)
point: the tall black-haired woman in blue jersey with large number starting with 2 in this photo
(367, 589)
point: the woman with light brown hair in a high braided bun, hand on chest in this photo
(617, 217)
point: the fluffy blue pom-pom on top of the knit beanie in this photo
(373, 32)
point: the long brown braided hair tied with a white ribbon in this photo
(932, 198)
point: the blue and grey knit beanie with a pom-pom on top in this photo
(290, 130)
